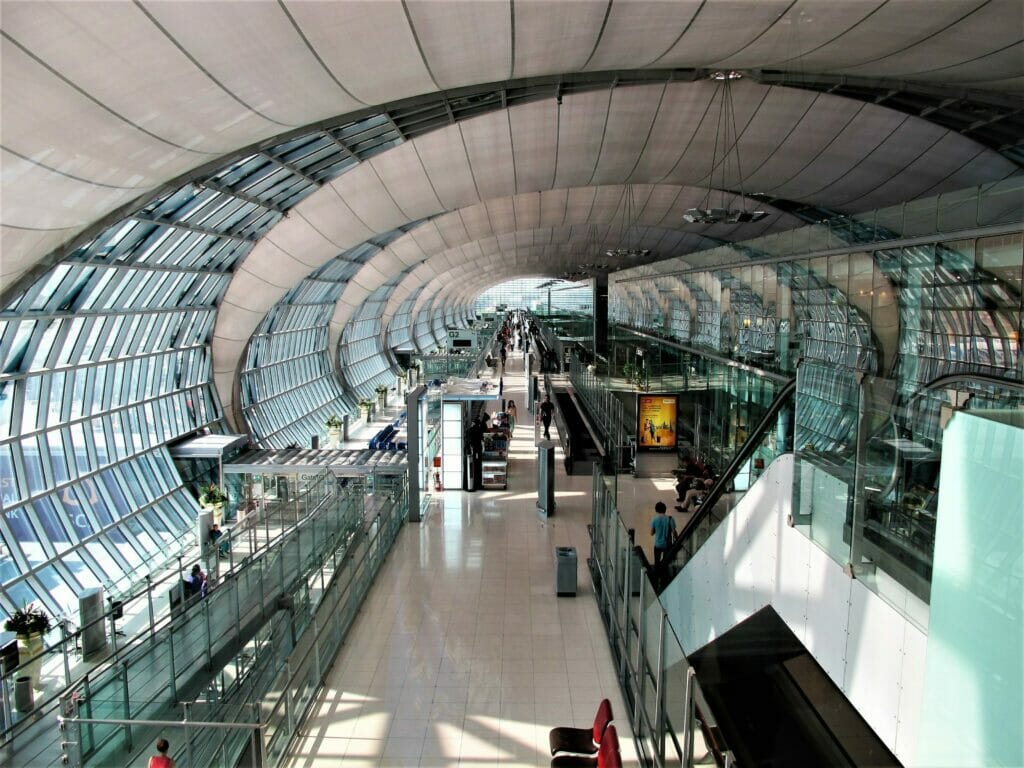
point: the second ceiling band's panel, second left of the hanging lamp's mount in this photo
(630, 120)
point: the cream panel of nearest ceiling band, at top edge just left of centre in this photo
(464, 42)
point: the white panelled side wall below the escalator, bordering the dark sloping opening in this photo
(881, 669)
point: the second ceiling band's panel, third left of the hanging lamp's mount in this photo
(581, 133)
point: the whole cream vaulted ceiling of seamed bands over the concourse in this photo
(106, 104)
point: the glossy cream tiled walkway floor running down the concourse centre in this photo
(463, 656)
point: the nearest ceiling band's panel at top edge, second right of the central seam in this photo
(641, 33)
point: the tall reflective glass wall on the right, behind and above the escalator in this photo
(870, 335)
